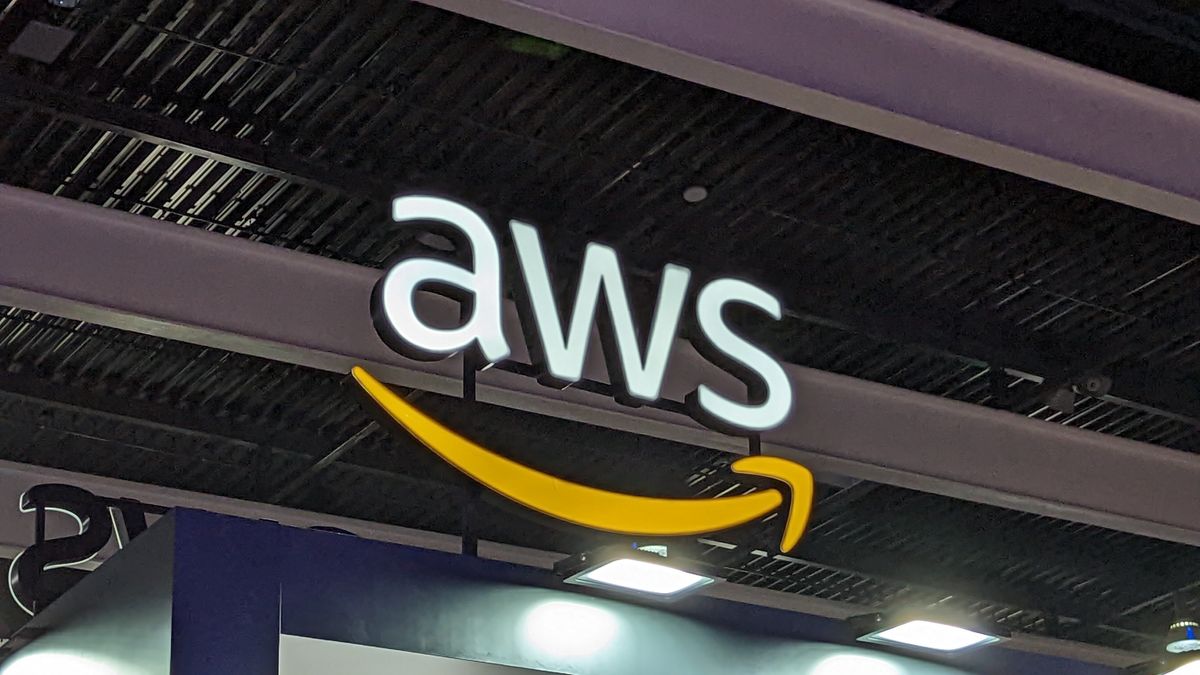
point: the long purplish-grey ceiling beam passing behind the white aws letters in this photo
(112, 268)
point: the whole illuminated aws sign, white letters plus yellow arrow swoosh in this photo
(559, 347)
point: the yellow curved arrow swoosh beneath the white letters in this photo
(602, 510)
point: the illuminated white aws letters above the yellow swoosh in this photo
(637, 367)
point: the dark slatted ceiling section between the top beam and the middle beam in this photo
(964, 258)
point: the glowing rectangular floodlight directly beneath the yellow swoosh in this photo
(629, 570)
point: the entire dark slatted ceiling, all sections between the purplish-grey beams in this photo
(293, 123)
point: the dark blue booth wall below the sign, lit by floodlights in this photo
(239, 586)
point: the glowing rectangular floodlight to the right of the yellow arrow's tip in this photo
(926, 634)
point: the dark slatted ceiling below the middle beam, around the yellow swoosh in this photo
(869, 545)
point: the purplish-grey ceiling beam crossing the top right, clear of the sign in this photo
(904, 76)
